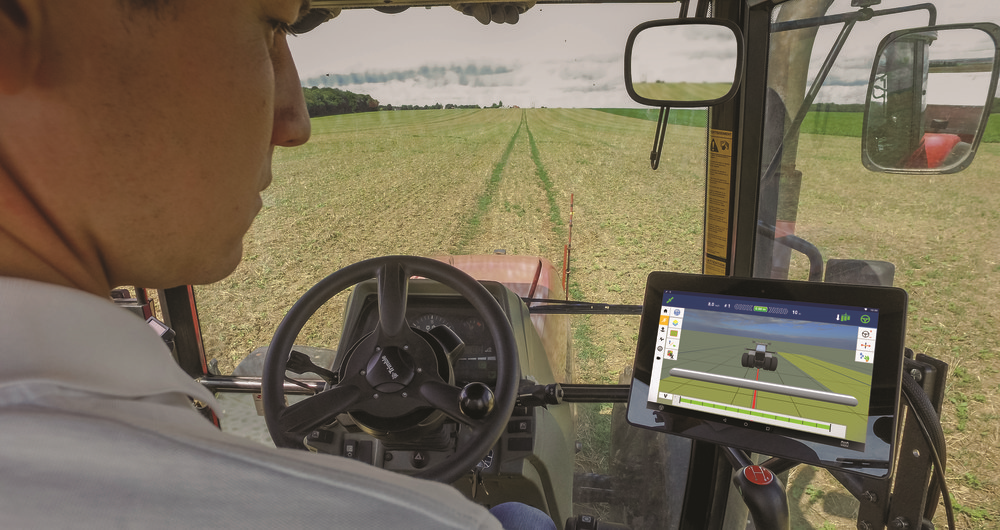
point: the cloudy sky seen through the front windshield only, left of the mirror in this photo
(556, 56)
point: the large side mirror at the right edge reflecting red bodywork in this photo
(929, 97)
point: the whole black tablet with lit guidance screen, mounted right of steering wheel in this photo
(780, 368)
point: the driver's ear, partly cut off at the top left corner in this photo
(20, 43)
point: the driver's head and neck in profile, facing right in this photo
(136, 135)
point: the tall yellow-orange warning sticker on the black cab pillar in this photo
(720, 163)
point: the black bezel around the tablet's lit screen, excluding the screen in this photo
(874, 456)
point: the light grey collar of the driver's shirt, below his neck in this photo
(81, 341)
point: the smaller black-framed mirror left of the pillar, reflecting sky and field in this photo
(683, 63)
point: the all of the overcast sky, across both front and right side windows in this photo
(555, 56)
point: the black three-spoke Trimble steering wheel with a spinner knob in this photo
(393, 373)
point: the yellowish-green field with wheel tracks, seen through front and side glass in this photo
(471, 181)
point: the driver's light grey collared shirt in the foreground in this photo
(97, 431)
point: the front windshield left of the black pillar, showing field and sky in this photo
(521, 130)
